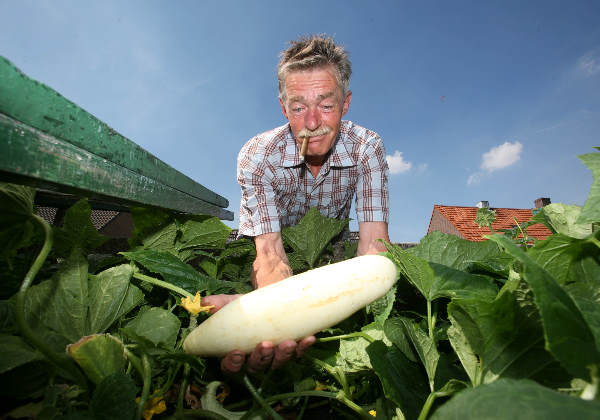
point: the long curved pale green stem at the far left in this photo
(61, 361)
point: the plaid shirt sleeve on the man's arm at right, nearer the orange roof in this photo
(371, 188)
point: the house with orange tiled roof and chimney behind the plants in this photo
(460, 220)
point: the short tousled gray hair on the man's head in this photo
(311, 52)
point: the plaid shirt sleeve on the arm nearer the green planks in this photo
(258, 212)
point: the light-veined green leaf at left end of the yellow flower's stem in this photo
(111, 296)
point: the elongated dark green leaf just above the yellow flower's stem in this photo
(175, 271)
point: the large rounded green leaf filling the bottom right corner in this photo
(515, 399)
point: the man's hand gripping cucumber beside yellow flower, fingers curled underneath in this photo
(265, 354)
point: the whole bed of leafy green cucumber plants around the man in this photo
(506, 328)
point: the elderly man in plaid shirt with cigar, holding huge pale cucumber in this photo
(281, 180)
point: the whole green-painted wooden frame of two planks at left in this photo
(49, 142)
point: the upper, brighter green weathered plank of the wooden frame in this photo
(40, 107)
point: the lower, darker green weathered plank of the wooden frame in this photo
(39, 159)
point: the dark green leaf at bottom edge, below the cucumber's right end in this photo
(403, 381)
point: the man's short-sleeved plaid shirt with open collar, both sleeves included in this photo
(278, 188)
